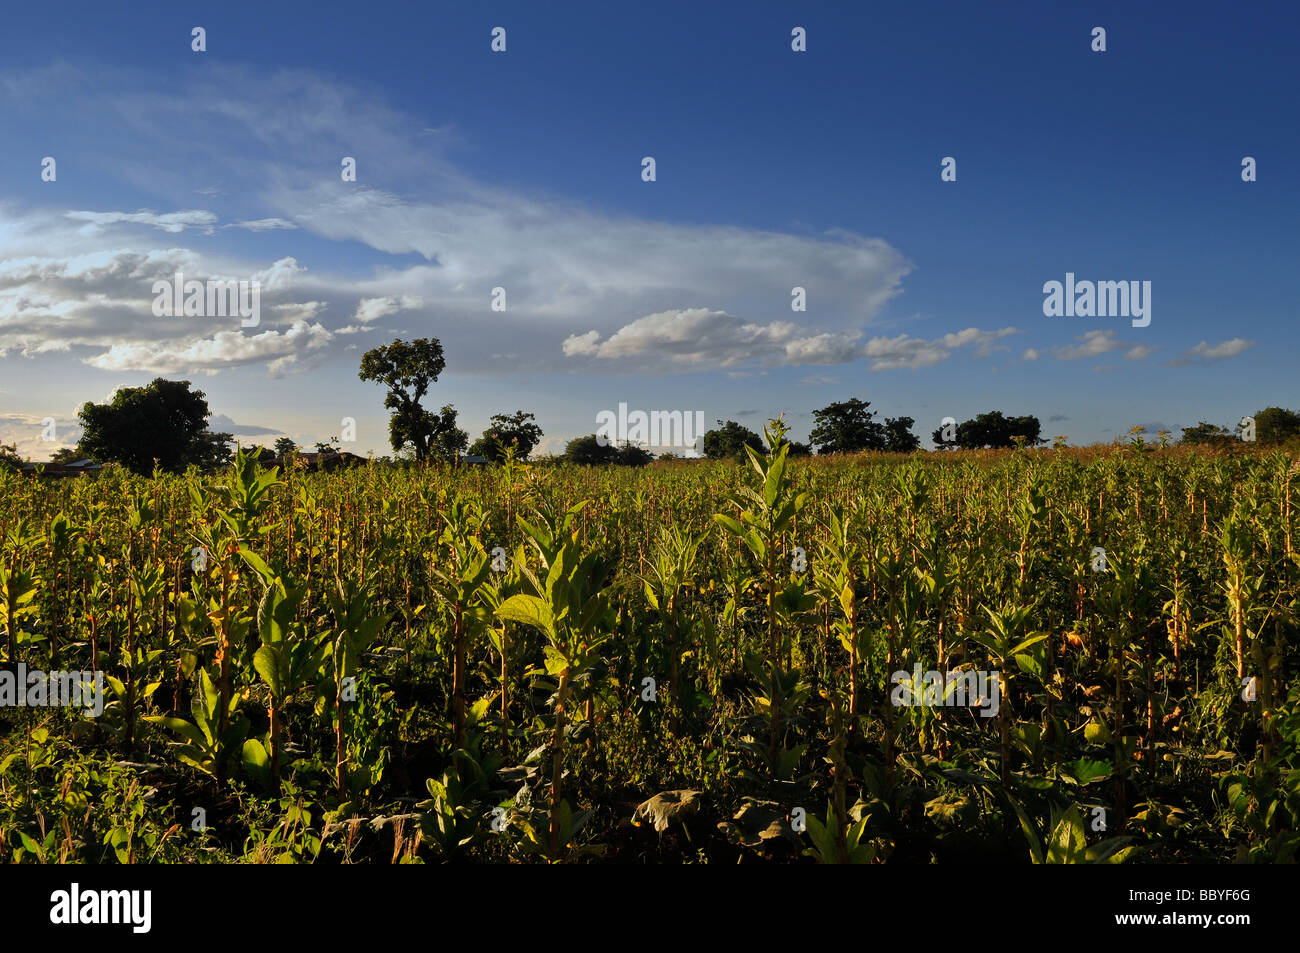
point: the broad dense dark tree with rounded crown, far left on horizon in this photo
(163, 422)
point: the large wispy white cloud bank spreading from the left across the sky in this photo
(578, 279)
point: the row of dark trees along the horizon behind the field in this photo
(164, 426)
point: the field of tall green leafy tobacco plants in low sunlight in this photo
(696, 662)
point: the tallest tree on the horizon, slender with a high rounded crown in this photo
(408, 370)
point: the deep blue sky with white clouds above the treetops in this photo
(774, 170)
